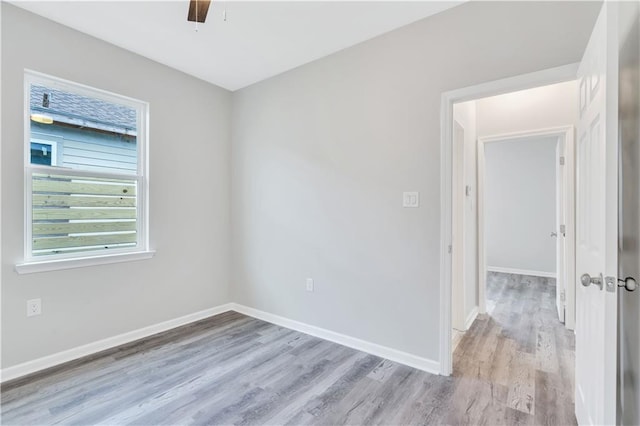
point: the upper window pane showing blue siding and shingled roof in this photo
(89, 133)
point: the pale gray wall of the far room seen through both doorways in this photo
(520, 204)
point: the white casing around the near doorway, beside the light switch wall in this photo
(492, 88)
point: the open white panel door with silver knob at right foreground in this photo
(596, 214)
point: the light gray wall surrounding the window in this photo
(189, 197)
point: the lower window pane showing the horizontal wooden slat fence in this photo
(72, 213)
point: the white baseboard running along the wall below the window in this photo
(48, 361)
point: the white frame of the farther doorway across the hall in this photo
(565, 134)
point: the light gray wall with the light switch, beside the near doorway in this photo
(322, 154)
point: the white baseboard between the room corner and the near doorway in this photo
(395, 355)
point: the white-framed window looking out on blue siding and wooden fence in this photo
(86, 185)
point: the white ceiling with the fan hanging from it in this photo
(258, 40)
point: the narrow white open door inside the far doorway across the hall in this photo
(560, 229)
